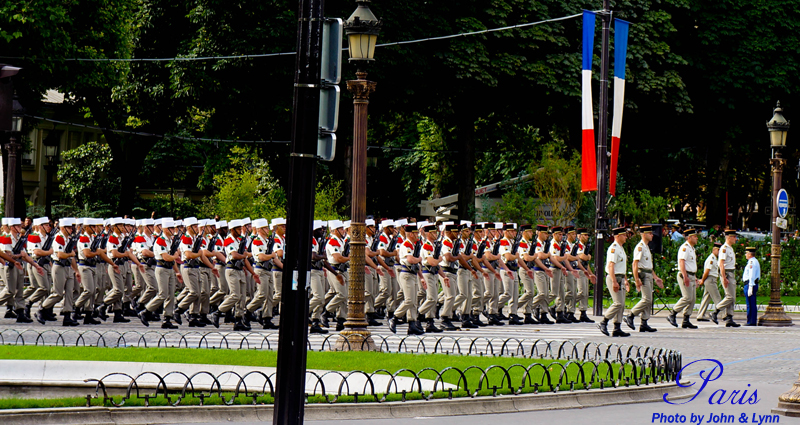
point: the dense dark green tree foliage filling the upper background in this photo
(701, 82)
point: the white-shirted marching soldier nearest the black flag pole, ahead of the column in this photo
(616, 267)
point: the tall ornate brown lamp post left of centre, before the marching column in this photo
(362, 30)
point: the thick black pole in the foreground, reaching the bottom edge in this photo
(291, 374)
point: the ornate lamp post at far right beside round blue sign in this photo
(778, 128)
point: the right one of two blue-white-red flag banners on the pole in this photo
(620, 52)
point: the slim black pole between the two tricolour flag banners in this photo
(601, 221)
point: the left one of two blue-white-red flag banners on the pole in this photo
(589, 161)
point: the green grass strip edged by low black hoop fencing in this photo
(494, 375)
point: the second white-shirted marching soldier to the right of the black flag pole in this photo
(644, 276)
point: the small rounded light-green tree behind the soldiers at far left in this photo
(87, 178)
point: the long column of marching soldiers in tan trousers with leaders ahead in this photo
(205, 272)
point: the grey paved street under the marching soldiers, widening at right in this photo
(753, 359)
